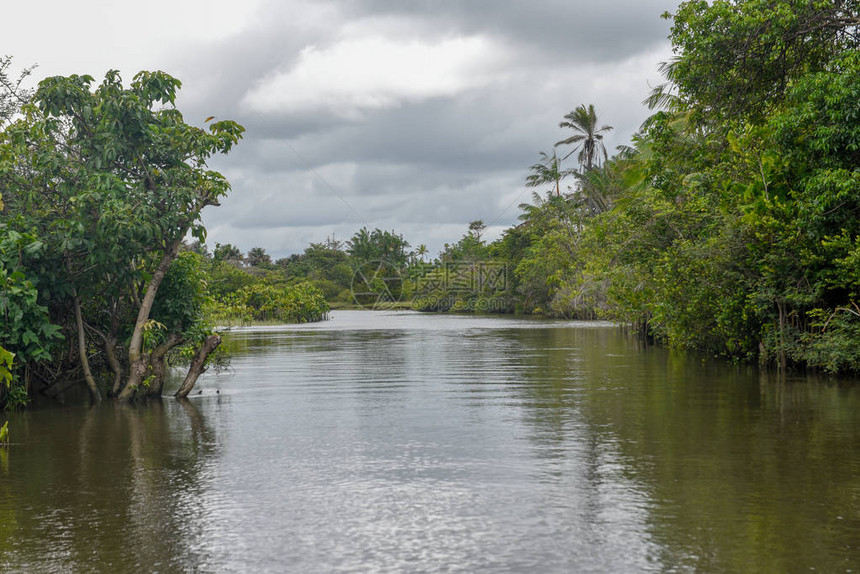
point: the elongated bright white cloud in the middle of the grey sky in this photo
(371, 73)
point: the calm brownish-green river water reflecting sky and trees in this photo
(399, 442)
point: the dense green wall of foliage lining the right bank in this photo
(734, 221)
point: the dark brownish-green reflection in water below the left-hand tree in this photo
(113, 490)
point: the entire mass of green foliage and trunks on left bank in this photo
(100, 185)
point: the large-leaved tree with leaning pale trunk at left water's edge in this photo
(112, 180)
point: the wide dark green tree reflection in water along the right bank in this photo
(742, 471)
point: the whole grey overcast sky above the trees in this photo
(418, 116)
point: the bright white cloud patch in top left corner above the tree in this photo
(93, 36)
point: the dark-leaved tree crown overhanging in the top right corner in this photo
(736, 59)
